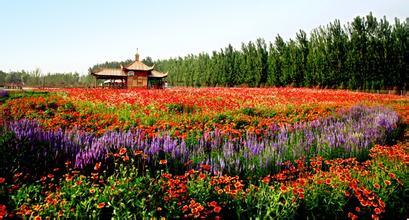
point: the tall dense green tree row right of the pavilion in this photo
(367, 53)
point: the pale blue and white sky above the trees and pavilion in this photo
(73, 35)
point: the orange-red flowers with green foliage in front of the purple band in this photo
(338, 188)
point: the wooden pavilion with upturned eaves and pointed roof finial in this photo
(135, 75)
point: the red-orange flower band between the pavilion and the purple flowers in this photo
(187, 111)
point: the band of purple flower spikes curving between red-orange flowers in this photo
(351, 134)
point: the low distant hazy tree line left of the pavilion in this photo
(37, 79)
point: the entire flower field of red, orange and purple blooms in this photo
(208, 152)
